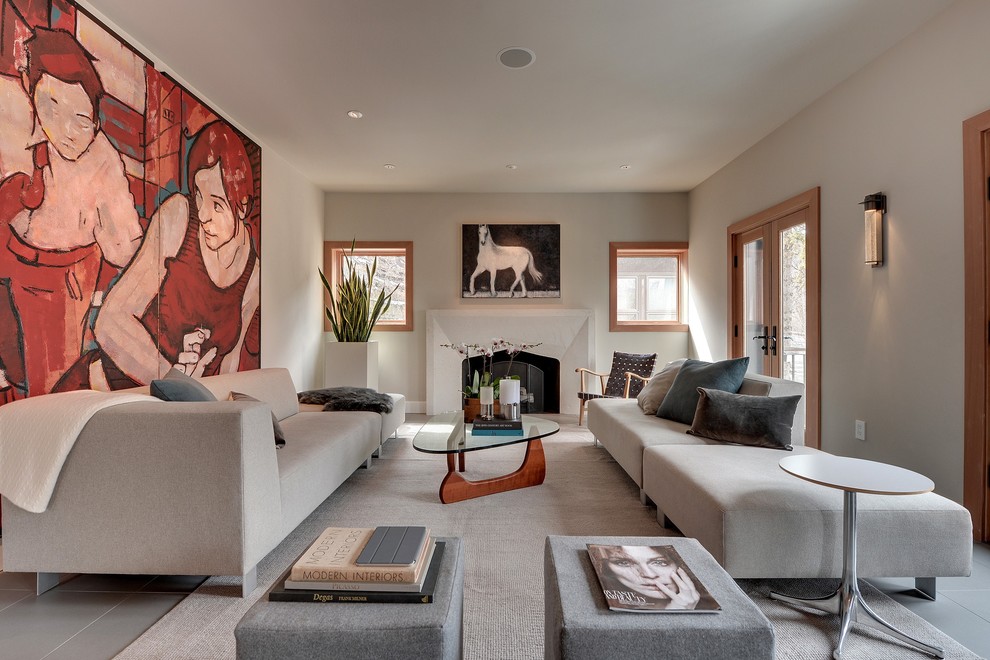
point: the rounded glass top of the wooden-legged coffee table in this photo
(447, 433)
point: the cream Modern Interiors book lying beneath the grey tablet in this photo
(333, 558)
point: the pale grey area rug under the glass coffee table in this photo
(585, 493)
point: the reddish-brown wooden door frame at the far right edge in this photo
(976, 462)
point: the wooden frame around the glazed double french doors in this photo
(809, 201)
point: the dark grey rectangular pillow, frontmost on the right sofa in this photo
(759, 421)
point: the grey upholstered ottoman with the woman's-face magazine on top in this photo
(580, 625)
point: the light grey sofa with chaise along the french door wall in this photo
(760, 522)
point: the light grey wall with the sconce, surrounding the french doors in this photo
(892, 337)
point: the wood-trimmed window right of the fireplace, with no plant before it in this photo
(647, 287)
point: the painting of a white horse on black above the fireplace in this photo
(510, 261)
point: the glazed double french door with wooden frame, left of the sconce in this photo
(774, 299)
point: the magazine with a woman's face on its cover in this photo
(644, 578)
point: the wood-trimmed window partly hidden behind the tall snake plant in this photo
(395, 269)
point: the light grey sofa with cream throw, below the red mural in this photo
(192, 488)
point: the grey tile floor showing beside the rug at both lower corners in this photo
(93, 617)
